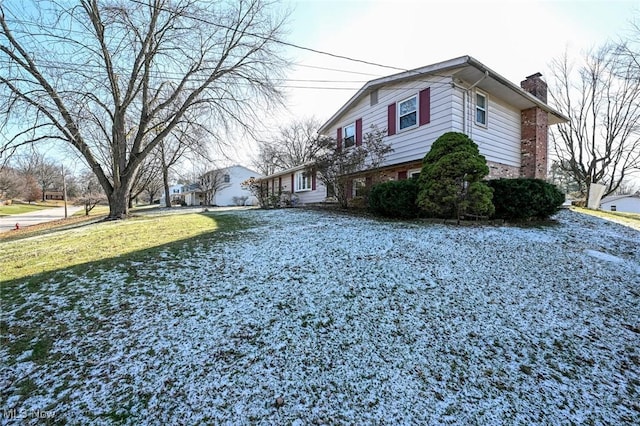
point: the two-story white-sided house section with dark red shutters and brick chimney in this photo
(508, 122)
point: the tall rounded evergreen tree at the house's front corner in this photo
(450, 184)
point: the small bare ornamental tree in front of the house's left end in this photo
(336, 166)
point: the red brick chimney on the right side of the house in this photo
(534, 131)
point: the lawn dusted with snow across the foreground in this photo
(319, 318)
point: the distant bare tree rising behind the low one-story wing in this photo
(294, 145)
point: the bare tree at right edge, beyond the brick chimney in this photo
(601, 142)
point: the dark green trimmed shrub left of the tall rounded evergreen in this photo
(396, 199)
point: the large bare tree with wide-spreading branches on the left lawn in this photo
(102, 76)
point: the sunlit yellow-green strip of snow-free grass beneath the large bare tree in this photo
(53, 248)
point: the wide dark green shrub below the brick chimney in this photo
(525, 198)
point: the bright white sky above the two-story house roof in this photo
(514, 38)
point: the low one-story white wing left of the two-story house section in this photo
(299, 184)
